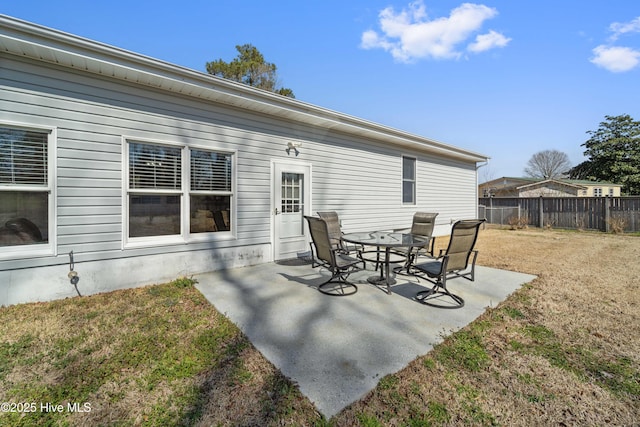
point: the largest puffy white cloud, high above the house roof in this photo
(410, 34)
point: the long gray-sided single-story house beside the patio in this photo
(132, 171)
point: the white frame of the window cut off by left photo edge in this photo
(49, 248)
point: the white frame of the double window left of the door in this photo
(185, 236)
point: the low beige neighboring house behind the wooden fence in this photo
(535, 187)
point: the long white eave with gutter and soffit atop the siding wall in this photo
(33, 41)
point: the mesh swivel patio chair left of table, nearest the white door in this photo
(340, 264)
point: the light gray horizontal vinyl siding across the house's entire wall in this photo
(359, 178)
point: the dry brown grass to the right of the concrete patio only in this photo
(586, 301)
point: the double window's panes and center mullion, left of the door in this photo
(162, 176)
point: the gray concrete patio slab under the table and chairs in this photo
(337, 348)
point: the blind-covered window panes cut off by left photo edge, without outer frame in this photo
(25, 193)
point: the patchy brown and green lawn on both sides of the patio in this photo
(563, 350)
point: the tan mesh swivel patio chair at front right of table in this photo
(459, 260)
